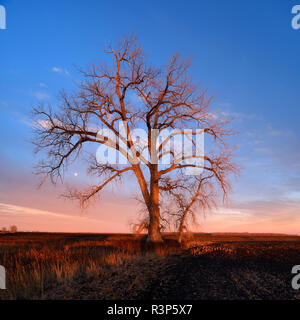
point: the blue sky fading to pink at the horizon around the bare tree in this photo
(245, 52)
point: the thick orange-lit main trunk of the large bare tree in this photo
(154, 234)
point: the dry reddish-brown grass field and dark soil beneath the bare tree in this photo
(119, 266)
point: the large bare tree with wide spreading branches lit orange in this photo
(130, 90)
